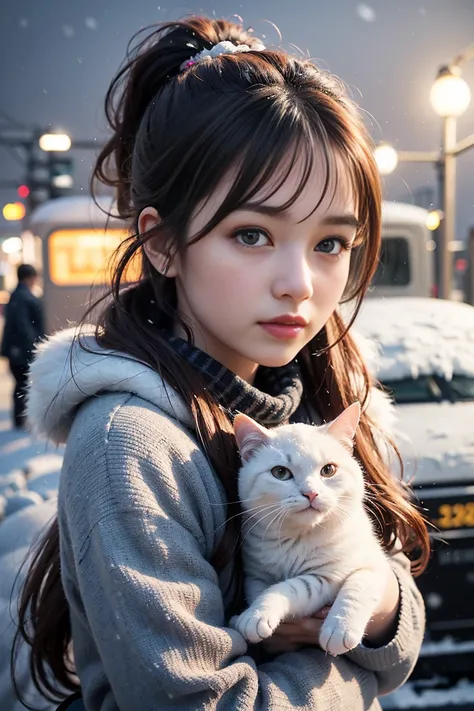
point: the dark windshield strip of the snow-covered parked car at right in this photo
(432, 388)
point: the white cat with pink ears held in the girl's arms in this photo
(308, 541)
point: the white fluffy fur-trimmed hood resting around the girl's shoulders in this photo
(69, 369)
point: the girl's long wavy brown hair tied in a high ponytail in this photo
(176, 133)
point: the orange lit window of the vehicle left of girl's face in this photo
(82, 257)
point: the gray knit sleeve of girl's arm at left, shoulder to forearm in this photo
(149, 627)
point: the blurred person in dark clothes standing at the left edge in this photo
(23, 328)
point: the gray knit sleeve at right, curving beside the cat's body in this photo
(394, 662)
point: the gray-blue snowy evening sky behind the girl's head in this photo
(58, 56)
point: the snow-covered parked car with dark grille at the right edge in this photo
(426, 362)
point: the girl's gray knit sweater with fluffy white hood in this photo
(140, 511)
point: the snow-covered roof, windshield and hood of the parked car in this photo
(426, 361)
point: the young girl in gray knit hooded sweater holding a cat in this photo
(255, 202)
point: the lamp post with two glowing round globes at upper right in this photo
(450, 97)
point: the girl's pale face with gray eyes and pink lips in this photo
(263, 283)
